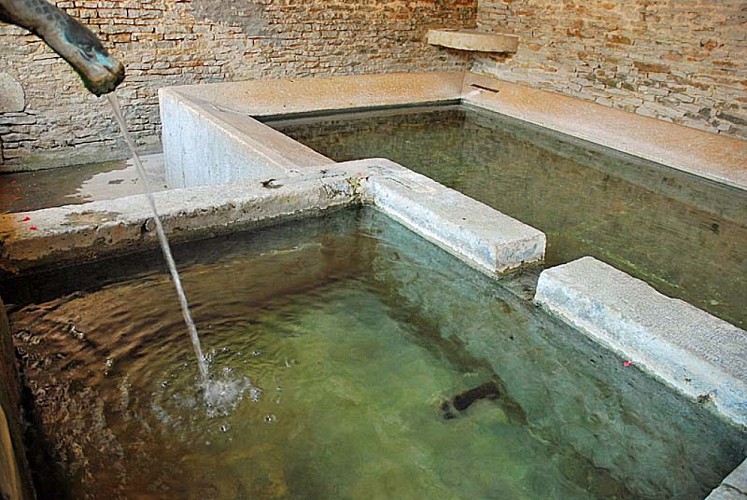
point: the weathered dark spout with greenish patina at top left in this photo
(75, 43)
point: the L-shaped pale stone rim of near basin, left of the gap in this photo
(477, 234)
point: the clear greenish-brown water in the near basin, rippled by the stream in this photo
(348, 333)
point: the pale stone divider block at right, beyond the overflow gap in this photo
(699, 355)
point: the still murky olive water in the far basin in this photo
(685, 236)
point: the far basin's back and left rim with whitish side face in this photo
(211, 137)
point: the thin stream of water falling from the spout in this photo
(191, 328)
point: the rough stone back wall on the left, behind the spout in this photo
(48, 119)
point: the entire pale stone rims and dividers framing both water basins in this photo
(232, 172)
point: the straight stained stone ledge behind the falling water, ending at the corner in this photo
(93, 230)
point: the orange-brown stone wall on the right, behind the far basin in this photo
(683, 61)
